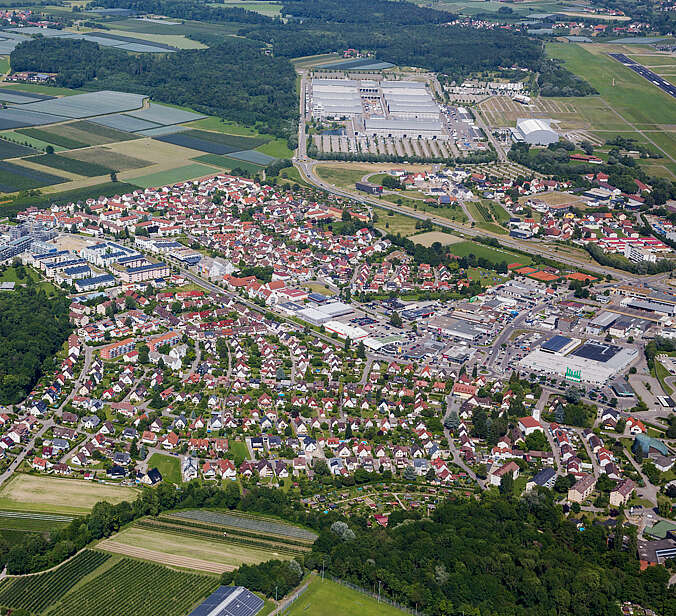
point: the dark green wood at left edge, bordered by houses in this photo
(32, 329)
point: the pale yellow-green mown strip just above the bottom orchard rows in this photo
(165, 544)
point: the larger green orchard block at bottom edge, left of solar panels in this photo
(136, 588)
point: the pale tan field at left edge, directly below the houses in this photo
(49, 494)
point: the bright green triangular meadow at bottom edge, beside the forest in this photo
(327, 598)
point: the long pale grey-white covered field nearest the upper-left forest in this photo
(88, 105)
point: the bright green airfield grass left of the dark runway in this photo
(636, 99)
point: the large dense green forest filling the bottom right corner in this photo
(497, 557)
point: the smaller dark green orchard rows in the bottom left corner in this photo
(36, 592)
